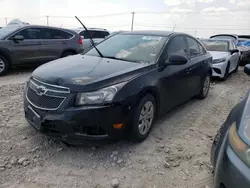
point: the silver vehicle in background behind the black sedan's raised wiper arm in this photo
(97, 35)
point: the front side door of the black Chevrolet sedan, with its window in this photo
(173, 78)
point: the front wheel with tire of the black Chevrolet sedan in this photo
(143, 118)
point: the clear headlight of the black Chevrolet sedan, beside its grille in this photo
(101, 96)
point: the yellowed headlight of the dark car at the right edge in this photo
(238, 145)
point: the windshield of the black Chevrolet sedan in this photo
(128, 47)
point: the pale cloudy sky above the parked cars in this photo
(200, 18)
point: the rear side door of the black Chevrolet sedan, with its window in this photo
(197, 61)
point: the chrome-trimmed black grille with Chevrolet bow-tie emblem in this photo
(49, 98)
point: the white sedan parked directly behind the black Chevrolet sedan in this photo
(225, 55)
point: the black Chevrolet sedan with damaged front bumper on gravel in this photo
(118, 87)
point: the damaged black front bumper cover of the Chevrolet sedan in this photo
(83, 122)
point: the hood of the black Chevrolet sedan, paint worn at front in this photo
(82, 70)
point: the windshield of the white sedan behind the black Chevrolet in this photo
(214, 45)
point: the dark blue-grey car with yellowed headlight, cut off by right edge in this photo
(230, 154)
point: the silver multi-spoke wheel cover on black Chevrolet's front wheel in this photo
(146, 118)
